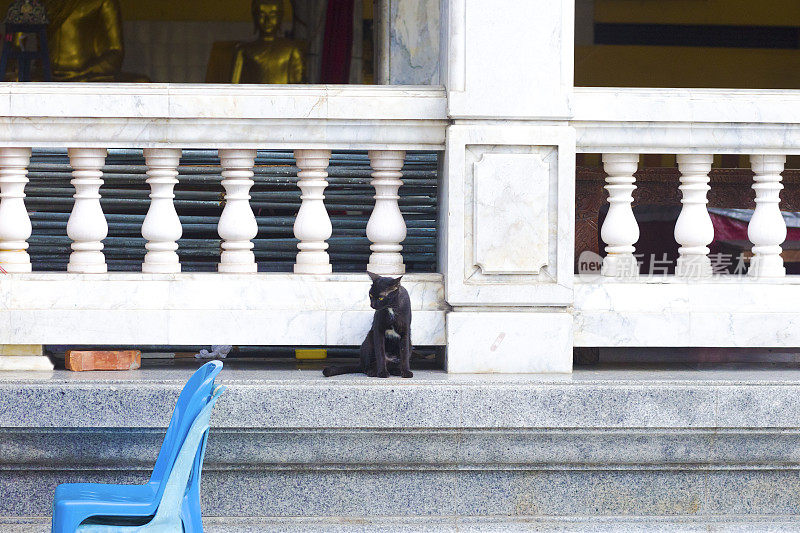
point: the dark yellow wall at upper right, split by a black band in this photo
(675, 66)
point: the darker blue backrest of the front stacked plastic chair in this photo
(193, 398)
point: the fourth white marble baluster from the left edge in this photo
(237, 224)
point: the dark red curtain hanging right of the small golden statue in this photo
(338, 45)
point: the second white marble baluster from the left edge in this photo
(87, 225)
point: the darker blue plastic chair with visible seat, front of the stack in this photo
(74, 503)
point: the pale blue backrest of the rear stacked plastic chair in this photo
(171, 499)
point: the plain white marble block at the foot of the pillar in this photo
(509, 342)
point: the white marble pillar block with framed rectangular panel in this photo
(508, 192)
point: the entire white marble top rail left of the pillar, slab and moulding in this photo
(222, 116)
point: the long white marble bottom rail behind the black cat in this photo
(206, 308)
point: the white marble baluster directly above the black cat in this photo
(386, 228)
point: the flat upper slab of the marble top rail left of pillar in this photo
(165, 100)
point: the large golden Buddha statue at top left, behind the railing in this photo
(86, 41)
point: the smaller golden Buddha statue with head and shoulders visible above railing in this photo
(270, 58)
